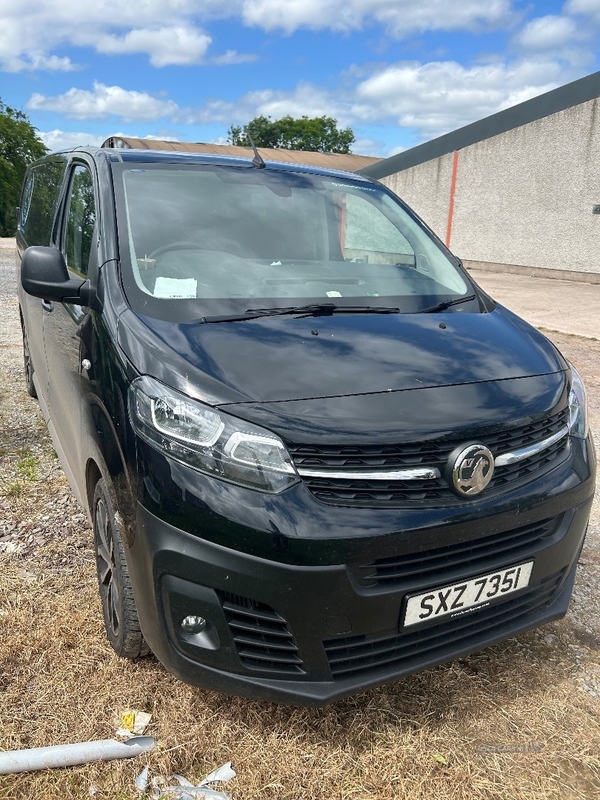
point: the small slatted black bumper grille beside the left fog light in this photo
(261, 635)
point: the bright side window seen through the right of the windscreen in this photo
(370, 237)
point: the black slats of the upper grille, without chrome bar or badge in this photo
(428, 493)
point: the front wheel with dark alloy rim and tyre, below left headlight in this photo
(118, 605)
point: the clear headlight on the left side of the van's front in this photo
(209, 440)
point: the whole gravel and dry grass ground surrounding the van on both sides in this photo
(518, 720)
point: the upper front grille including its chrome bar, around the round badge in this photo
(333, 473)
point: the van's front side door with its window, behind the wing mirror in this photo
(65, 325)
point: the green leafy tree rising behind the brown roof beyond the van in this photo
(318, 134)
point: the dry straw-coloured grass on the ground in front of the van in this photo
(60, 683)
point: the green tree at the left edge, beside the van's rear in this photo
(19, 146)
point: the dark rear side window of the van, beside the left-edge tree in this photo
(38, 204)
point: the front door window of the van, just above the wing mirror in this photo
(80, 221)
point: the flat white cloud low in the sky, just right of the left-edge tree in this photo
(105, 101)
